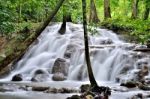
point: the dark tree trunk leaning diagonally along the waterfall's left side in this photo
(12, 59)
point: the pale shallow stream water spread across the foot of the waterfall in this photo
(14, 90)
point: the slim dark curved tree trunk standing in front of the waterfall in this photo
(87, 56)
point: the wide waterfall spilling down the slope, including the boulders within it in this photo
(61, 57)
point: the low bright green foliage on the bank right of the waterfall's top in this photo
(138, 29)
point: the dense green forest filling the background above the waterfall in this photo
(130, 15)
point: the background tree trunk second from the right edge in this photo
(134, 9)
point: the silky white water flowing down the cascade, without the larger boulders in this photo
(107, 59)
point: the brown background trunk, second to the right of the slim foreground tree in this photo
(107, 9)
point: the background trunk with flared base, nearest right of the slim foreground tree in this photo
(93, 12)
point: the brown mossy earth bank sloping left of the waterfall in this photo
(12, 47)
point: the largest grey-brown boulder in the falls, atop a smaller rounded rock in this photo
(60, 66)
